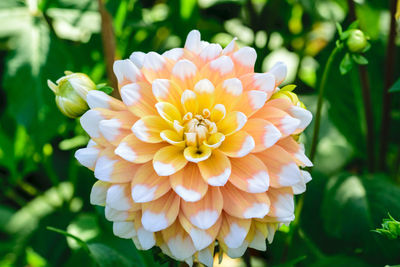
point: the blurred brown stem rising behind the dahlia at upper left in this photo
(108, 39)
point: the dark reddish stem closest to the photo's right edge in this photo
(389, 63)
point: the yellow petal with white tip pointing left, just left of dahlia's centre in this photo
(148, 129)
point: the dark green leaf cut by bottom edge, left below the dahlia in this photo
(105, 256)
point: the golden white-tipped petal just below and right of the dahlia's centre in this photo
(216, 169)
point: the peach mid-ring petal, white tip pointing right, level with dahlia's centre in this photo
(264, 133)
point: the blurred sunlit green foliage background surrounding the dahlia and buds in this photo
(355, 183)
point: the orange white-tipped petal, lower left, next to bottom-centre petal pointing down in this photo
(160, 213)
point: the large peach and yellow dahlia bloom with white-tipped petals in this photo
(198, 153)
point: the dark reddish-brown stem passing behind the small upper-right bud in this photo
(366, 94)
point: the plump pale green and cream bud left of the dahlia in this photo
(71, 91)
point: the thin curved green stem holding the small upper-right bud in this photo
(320, 101)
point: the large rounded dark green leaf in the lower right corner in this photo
(353, 206)
